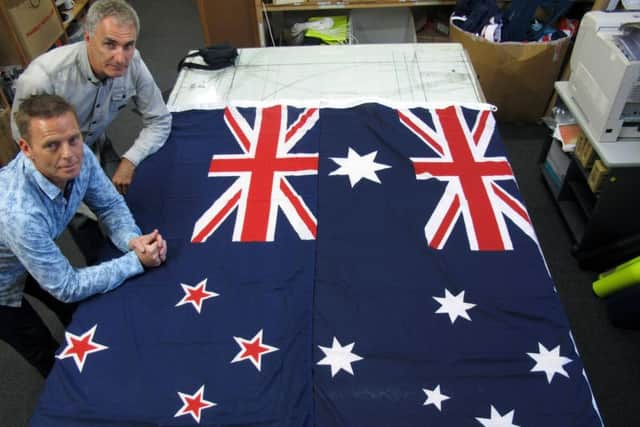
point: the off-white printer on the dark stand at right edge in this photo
(605, 73)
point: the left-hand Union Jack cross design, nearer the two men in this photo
(262, 170)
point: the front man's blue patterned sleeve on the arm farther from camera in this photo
(109, 205)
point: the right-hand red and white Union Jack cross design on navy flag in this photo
(472, 192)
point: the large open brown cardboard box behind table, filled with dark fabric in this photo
(516, 77)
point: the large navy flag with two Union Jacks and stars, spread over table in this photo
(367, 266)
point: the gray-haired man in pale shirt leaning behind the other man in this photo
(99, 76)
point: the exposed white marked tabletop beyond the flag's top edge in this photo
(392, 74)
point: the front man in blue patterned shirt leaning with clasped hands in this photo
(41, 191)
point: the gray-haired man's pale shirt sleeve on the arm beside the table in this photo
(156, 118)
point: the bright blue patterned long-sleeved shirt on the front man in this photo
(34, 212)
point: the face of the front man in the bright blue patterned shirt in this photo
(55, 148)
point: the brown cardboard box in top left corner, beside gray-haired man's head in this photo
(35, 24)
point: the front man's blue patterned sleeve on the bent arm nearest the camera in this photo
(41, 257)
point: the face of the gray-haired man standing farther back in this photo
(111, 47)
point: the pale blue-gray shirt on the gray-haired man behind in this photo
(65, 71)
